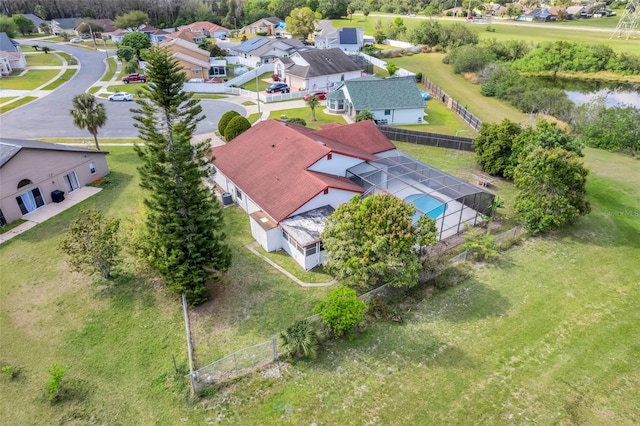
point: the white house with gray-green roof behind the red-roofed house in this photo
(390, 100)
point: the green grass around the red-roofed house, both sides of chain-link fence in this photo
(548, 334)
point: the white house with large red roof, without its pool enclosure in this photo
(291, 183)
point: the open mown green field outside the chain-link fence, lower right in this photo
(546, 335)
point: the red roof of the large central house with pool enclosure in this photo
(269, 162)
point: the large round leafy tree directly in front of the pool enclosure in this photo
(372, 241)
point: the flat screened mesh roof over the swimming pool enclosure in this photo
(402, 175)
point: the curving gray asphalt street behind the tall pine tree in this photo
(49, 116)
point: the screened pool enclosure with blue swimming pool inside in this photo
(451, 201)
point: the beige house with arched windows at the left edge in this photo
(34, 174)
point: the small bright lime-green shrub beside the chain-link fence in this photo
(342, 311)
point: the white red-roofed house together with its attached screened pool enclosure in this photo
(309, 173)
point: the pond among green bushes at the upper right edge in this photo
(581, 92)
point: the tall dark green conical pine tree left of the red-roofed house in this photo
(184, 238)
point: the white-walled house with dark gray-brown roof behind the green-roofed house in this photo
(315, 69)
